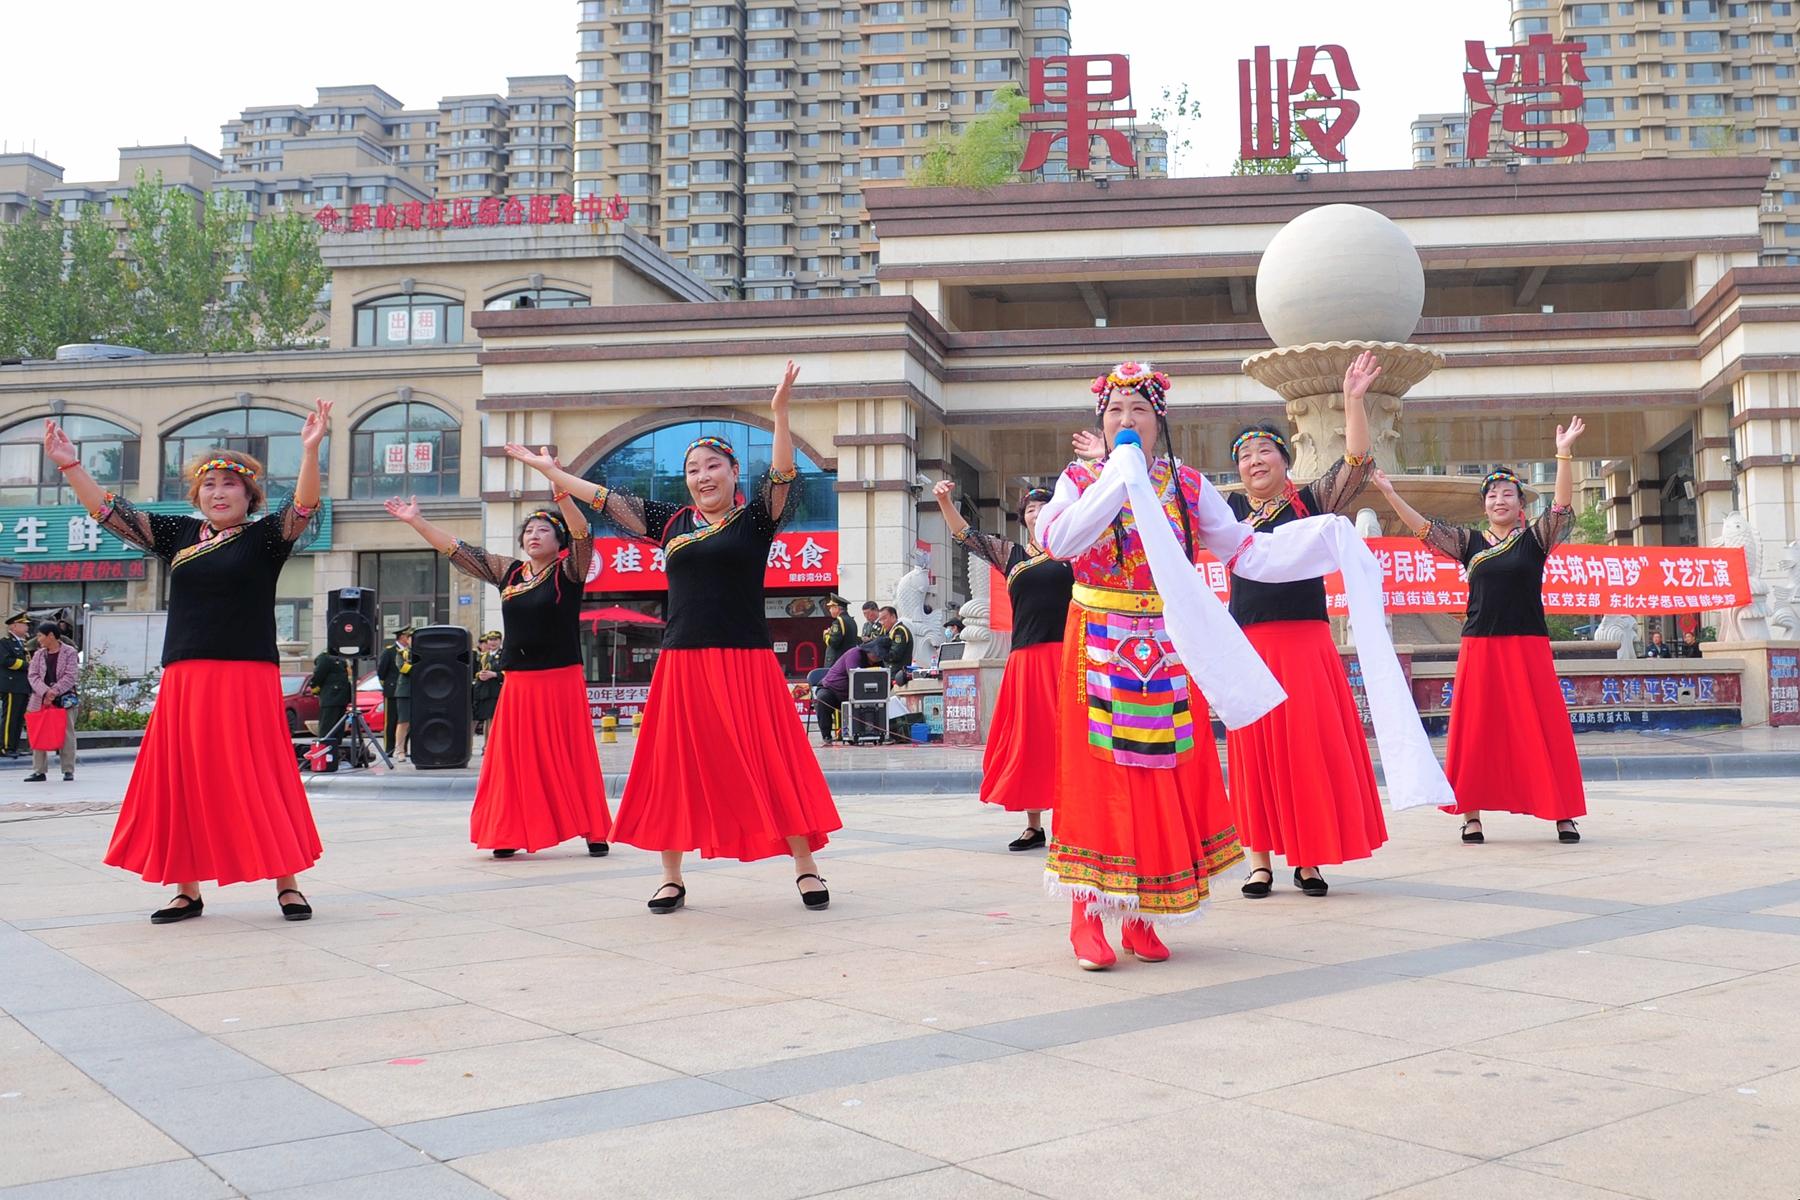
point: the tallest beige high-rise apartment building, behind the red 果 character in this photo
(744, 132)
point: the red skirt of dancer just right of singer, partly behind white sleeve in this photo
(1302, 784)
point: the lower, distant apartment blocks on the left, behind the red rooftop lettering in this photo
(359, 145)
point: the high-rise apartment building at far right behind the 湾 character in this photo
(1678, 80)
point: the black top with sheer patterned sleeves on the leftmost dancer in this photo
(222, 584)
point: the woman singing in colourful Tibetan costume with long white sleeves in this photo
(1142, 812)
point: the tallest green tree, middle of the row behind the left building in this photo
(179, 258)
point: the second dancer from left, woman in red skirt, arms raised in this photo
(541, 780)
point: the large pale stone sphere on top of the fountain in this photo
(1340, 274)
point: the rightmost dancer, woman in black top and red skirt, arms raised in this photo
(1506, 679)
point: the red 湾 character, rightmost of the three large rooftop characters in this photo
(1525, 91)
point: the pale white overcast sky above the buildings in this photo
(85, 80)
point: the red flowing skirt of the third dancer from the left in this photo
(723, 762)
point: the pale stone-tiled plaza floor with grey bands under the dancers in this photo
(1522, 1019)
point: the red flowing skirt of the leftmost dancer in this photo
(217, 793)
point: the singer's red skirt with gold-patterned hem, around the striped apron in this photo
(1138, 841)
